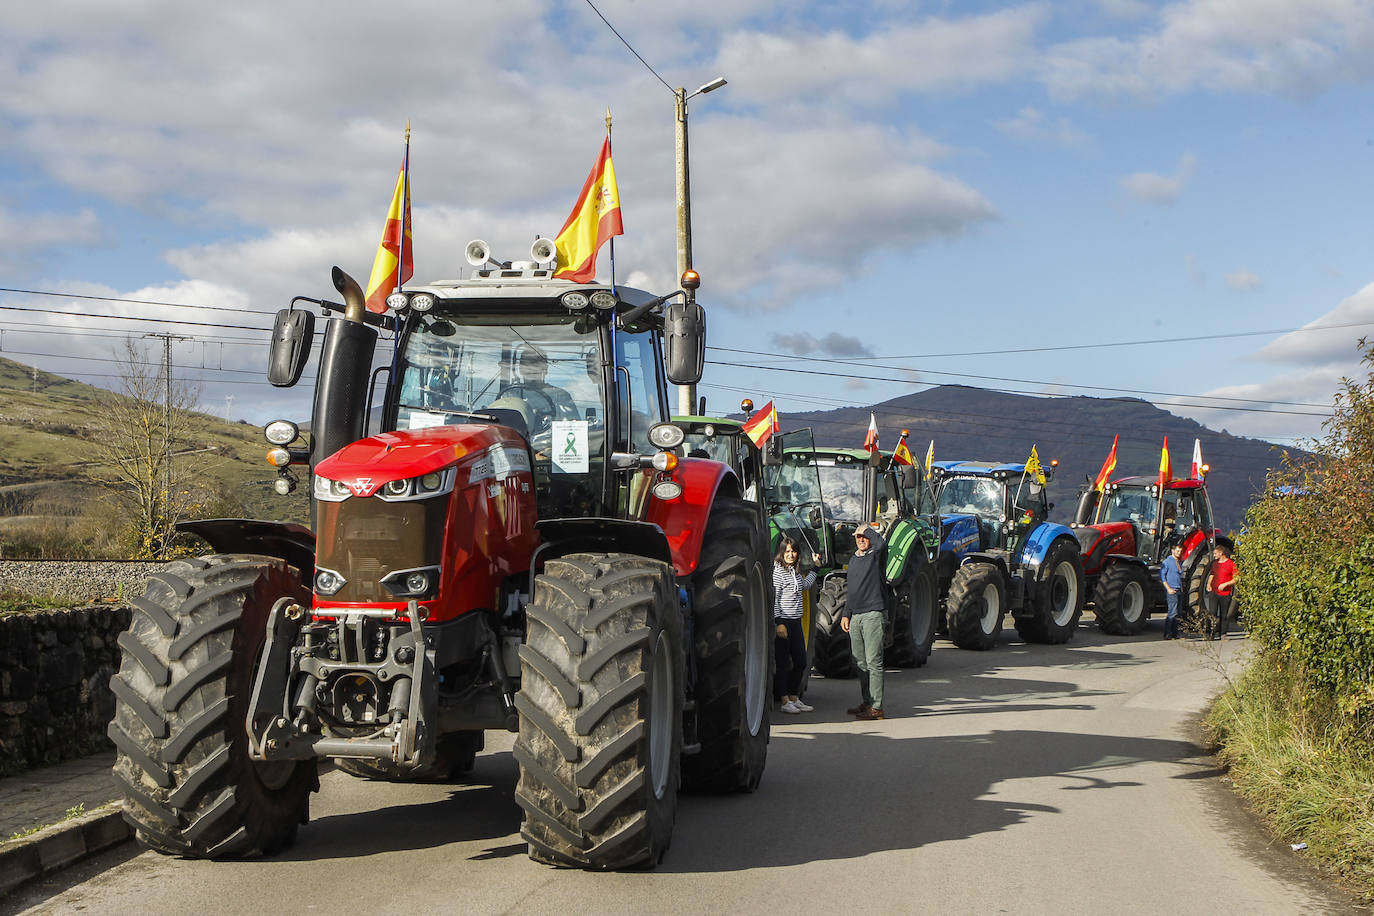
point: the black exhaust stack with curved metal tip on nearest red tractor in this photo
(346, 369)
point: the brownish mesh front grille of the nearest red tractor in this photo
(365, 539)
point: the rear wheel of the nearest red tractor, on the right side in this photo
(733, 635)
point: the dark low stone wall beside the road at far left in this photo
(56, 669)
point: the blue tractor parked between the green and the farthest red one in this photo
(1000, 553)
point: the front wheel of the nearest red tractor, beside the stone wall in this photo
(182, 697)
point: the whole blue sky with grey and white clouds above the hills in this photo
(887, 196)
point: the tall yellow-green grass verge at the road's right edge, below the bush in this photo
(1296, 762)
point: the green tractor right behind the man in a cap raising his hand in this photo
(858, 488)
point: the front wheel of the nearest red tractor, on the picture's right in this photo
(601, 707)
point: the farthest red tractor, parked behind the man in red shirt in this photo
(1127, 529)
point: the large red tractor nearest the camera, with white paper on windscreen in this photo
(509, 538)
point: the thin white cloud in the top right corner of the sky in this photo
(1295, 47)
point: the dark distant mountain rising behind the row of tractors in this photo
(980, 425)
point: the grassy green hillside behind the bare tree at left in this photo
(47, 425)
